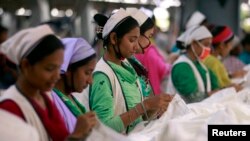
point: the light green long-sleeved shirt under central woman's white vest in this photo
(101, 95)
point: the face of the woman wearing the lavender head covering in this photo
(83, 76)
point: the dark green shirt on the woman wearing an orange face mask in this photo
(185, 82)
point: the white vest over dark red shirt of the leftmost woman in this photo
(28, 111)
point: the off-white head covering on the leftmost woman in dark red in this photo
(23, 42)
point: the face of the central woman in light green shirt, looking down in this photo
(129, 43)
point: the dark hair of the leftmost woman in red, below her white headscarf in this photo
(48, 45)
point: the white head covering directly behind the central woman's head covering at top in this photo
(137, 14)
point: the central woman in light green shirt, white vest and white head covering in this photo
(115, 94)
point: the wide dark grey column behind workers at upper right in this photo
(222, 12)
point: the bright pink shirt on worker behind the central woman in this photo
(157, 68)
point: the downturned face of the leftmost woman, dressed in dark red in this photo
(44, 74)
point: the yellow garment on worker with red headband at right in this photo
(216, 66)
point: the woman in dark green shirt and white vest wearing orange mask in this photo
(189, 77)
